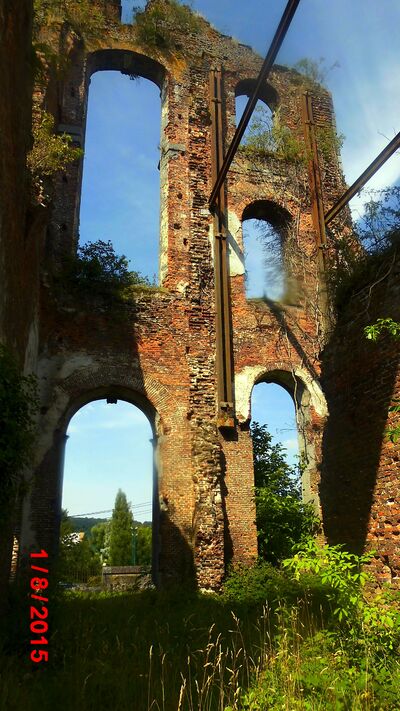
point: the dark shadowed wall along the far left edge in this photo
(19, 253)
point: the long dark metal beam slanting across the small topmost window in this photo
(269, 60)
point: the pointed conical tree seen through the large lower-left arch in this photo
(121, 530)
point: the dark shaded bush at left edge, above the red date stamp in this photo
(18, 406)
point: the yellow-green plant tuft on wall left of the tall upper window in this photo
(50, 154)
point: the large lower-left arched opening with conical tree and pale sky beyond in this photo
(109, 449)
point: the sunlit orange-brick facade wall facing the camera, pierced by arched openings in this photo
(159, 351)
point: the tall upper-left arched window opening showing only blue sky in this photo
(120, 198)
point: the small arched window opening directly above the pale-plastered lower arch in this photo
(265, 230)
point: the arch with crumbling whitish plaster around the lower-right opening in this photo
(310, 408)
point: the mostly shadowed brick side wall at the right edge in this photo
(361, 467)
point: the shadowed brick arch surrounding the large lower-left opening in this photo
(81, 380)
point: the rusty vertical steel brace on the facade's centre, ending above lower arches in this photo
(222, 296)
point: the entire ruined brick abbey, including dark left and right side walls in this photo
(186, 361)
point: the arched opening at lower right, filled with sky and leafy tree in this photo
(283, 519)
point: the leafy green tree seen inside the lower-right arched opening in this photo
(283, 520)
